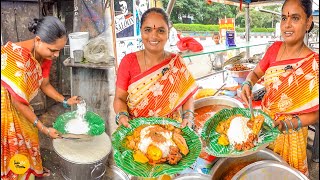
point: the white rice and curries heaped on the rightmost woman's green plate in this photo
(239, 131)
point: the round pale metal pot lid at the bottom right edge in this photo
(268, 169)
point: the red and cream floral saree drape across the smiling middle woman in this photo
(161, 90)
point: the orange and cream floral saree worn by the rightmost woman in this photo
(292, 92)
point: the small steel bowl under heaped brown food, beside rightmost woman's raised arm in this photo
(239, 76)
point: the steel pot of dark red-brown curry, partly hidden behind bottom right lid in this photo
(224, 165)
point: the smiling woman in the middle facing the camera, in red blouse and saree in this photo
(153, 82)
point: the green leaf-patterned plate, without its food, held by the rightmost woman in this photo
(210, 136)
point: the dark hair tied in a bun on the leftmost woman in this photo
(48, 28)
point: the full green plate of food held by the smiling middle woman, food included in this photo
(126, 154)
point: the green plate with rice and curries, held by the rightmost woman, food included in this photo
(231, 132)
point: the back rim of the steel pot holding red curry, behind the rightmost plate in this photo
(220, 100)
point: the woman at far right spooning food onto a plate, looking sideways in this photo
(291, 76)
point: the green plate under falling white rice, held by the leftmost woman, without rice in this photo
(96, 123)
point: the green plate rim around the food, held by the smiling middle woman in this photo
(124, 156)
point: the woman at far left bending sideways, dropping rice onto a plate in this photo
(25, 67)
